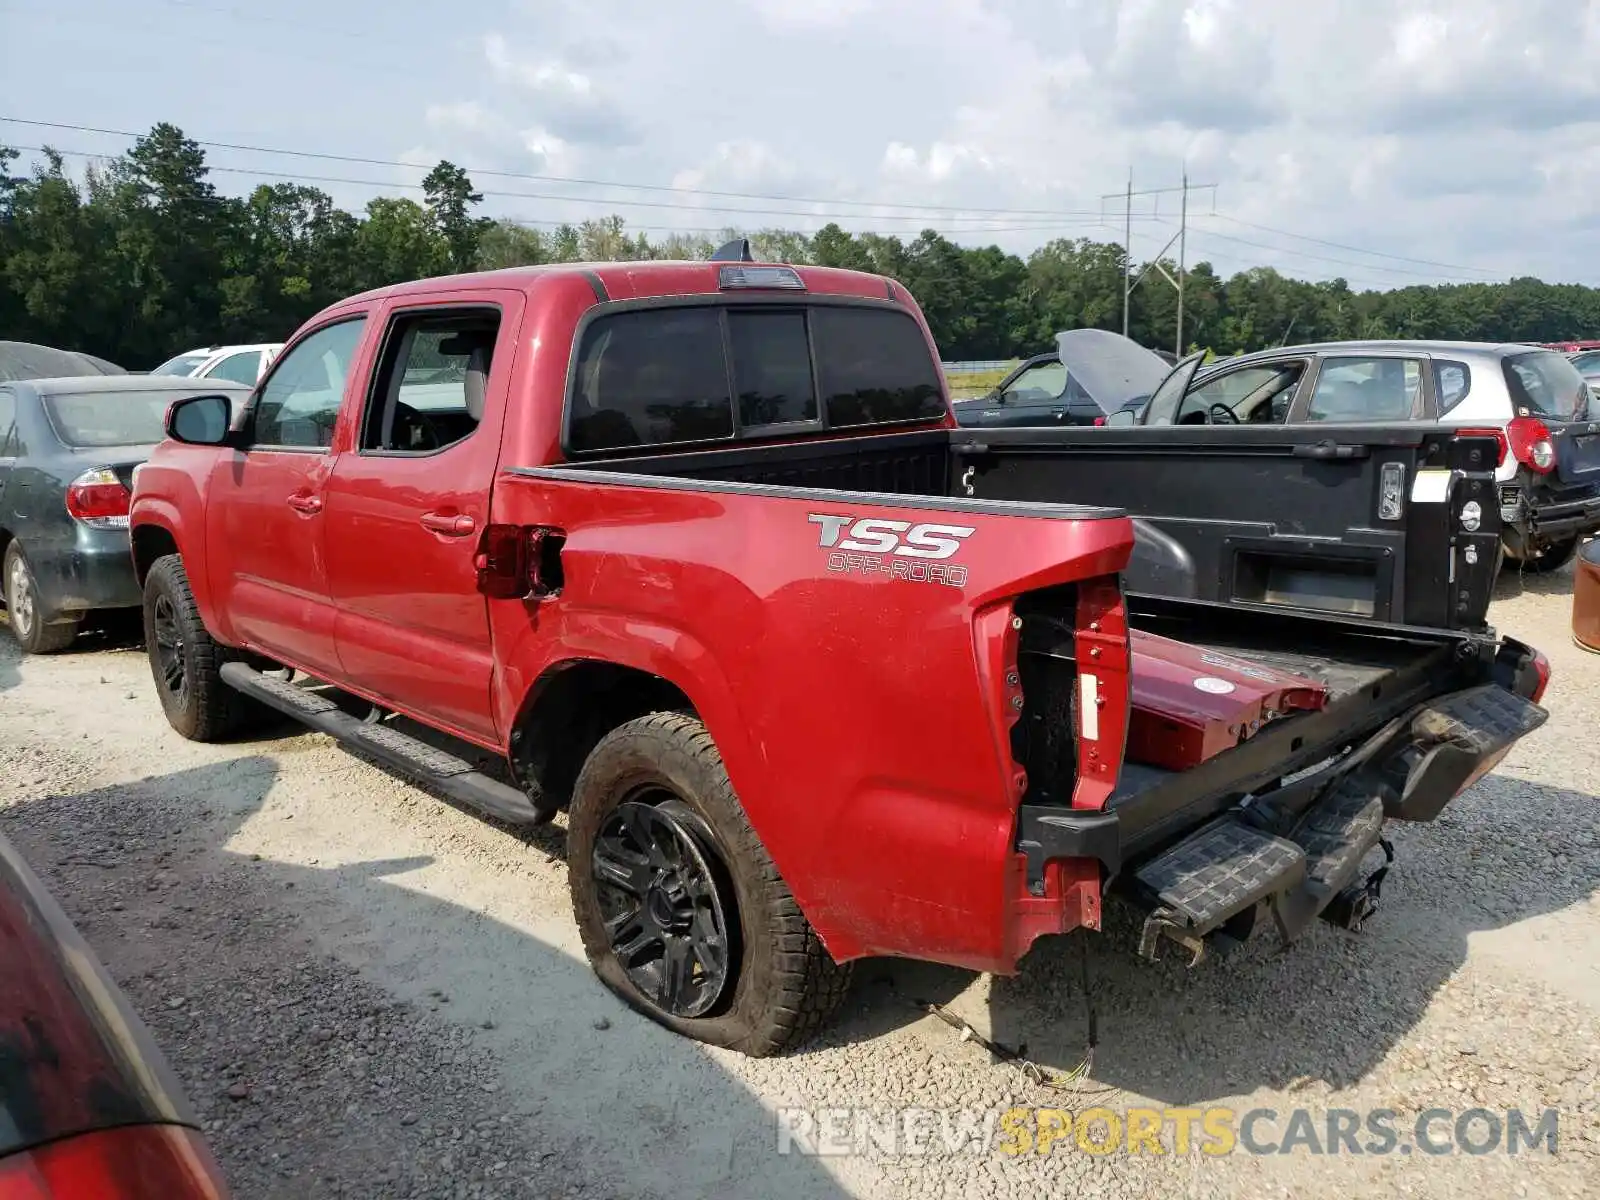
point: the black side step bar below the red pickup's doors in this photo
(438, 769)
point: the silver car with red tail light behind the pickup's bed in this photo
(1534, 401)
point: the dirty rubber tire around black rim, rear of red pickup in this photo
(783, 986)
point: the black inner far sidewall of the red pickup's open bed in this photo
(1361, 521)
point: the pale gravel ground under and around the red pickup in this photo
(374, 994)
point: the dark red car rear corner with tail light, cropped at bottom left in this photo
(89, 1106)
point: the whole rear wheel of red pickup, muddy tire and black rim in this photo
(682, 913)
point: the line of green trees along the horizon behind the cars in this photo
(142, 258)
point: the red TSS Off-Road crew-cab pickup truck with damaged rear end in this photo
(695, 548)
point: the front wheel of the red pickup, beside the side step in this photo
(188, 676)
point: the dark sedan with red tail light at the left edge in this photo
(68, 450)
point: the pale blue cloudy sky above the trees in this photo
(1385, 143)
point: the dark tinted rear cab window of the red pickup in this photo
(684, 375)
